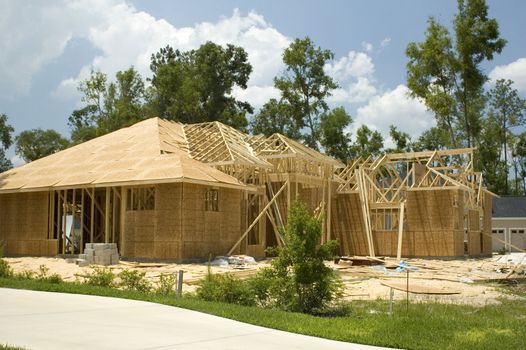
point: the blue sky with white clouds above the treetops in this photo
(49, 46)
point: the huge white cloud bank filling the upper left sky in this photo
(123, 35)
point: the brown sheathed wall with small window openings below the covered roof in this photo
(180, 227)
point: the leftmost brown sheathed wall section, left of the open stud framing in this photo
(24, 224)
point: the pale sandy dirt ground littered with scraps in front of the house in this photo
(450, 281)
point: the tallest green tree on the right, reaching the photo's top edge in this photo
(447, 73)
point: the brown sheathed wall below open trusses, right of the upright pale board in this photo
(434, 220)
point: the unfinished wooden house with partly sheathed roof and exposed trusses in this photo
(169, 191)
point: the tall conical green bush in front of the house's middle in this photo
(298, 279)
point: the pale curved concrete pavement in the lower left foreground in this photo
(41, 320)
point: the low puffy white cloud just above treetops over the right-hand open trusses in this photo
(394, 107)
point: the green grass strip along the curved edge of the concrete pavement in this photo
(423, 326)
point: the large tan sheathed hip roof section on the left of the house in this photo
(151, 151)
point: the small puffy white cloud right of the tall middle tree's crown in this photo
(354, 65)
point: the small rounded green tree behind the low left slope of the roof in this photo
(37, 143)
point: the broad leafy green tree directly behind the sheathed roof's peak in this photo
(196, 86)
